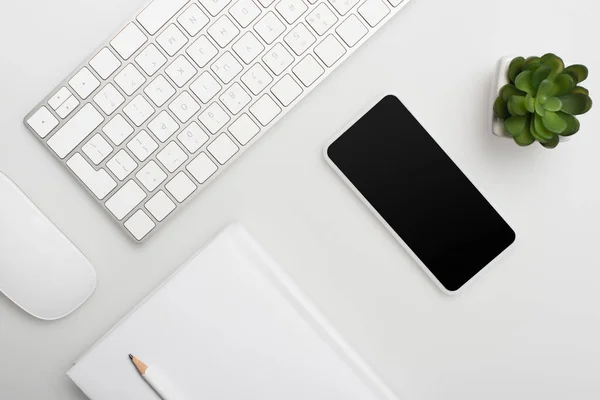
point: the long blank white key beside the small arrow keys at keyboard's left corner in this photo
(75, 130)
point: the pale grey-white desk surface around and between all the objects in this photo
(527, 329)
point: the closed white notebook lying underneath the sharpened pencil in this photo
(228, 325)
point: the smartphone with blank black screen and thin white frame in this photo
(422, 195)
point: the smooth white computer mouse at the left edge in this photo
(41, 271)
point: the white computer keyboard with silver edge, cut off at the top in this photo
(185, 87)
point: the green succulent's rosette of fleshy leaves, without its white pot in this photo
(542, 99)
